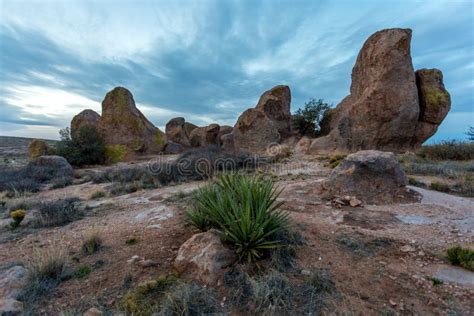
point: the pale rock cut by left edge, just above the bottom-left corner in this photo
(12, 280)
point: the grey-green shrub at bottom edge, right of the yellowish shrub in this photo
(188, 299)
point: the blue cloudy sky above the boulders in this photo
(210, 60)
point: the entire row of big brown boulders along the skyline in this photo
(390, 107)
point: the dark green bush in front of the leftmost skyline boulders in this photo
(85, 147)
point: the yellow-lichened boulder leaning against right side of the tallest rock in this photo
(435, 103)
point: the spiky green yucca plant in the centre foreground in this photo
(245, 209)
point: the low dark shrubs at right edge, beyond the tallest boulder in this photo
(448, 150)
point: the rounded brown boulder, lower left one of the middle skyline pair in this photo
(254, 132)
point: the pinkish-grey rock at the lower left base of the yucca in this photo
(203, 257)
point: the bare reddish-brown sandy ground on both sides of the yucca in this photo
(379, 255)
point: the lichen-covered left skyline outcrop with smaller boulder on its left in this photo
(122, 123)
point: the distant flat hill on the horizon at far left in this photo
(14, 150)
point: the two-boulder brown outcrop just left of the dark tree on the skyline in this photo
(260, 127)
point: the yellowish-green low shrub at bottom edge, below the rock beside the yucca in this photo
(146, 298)
